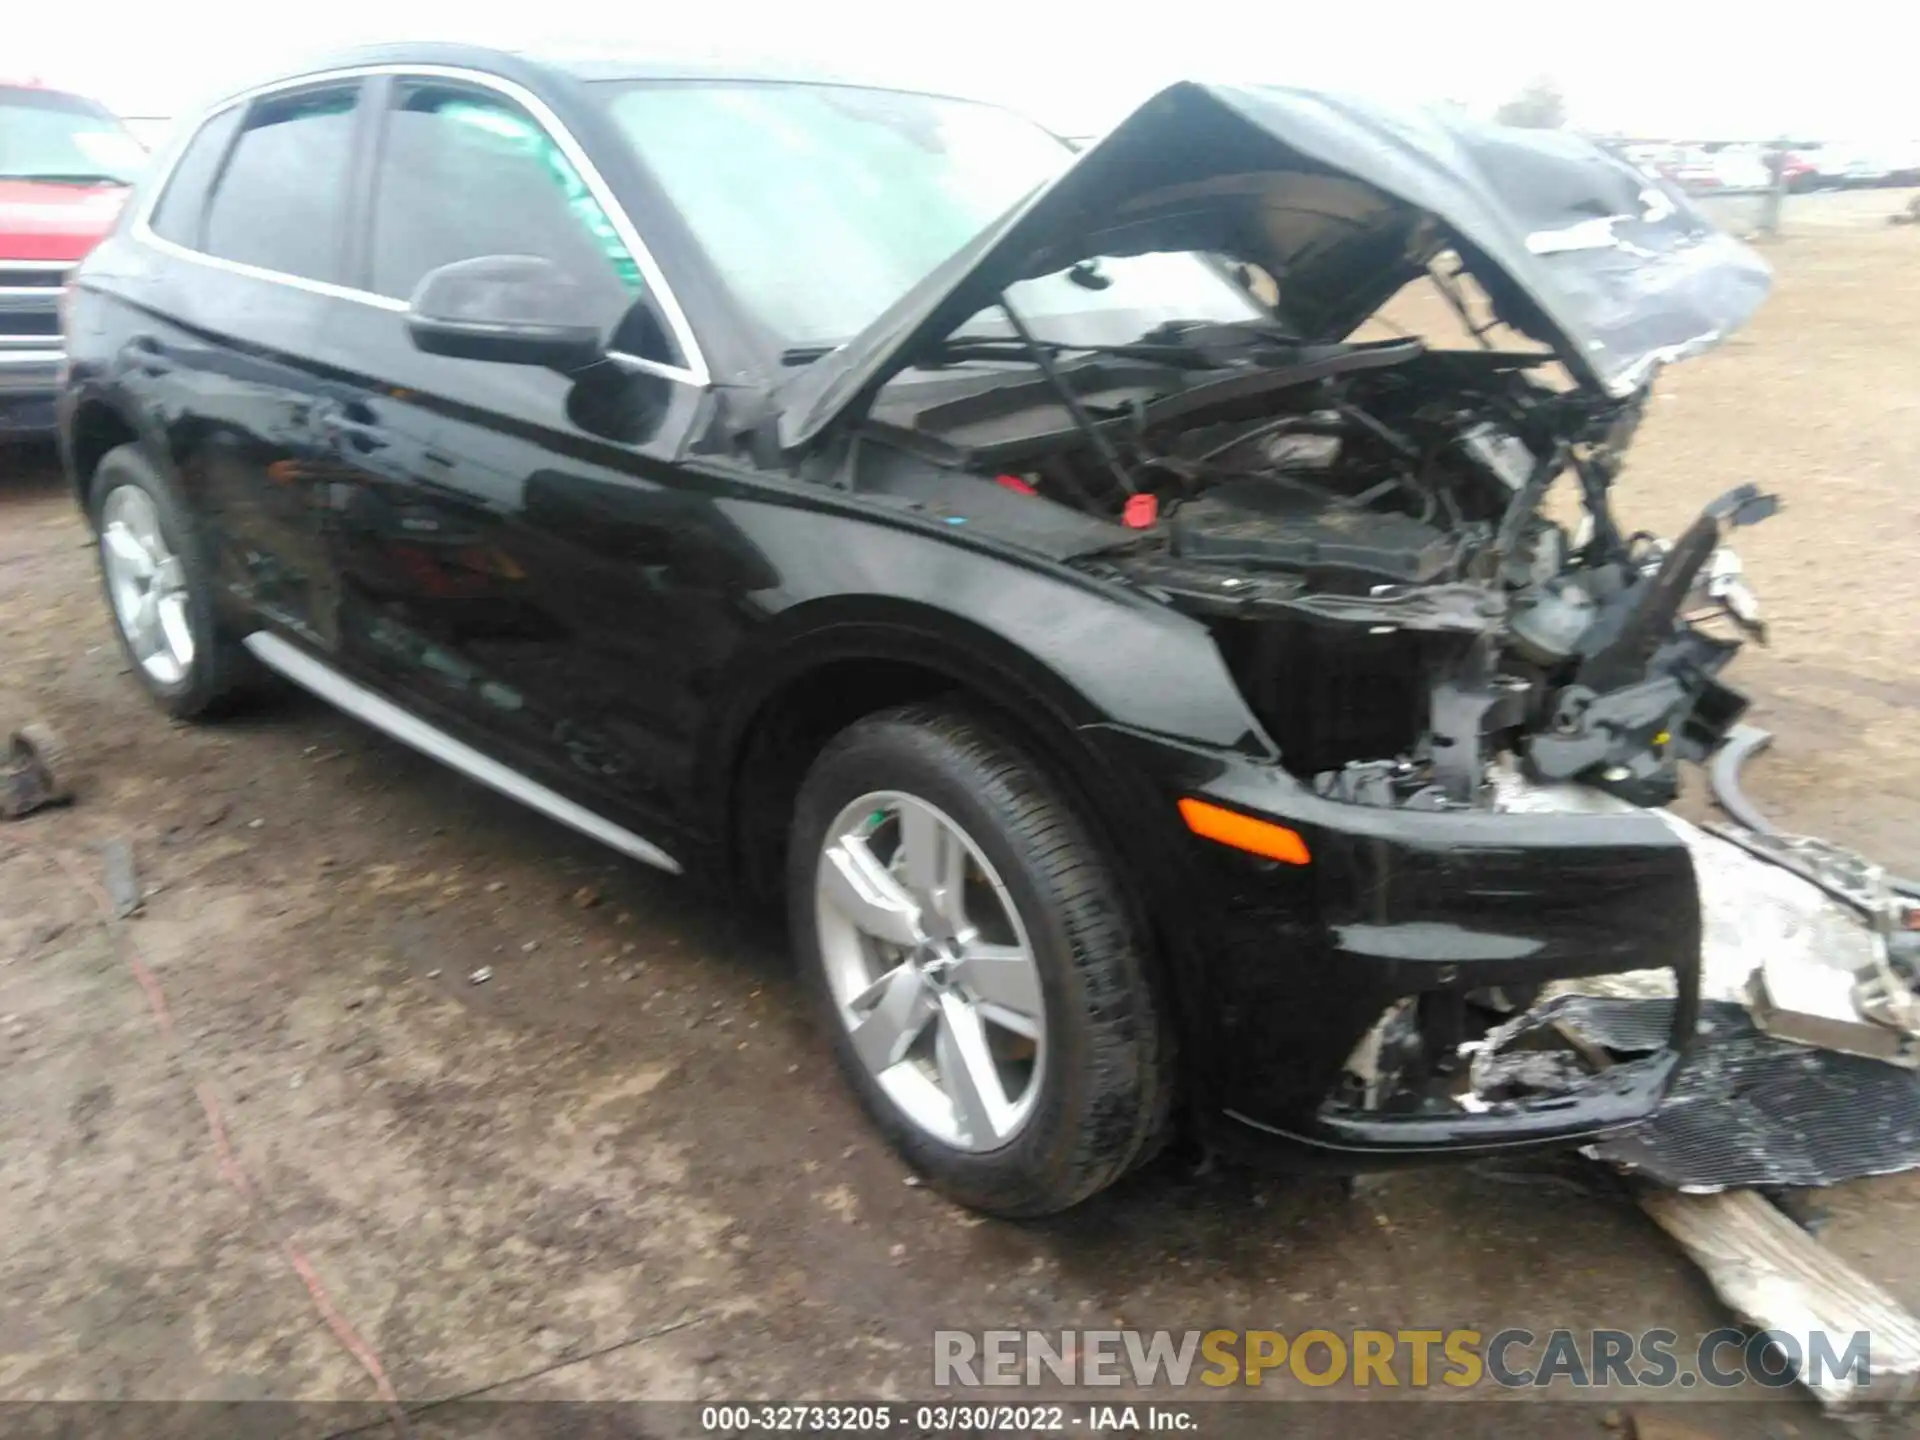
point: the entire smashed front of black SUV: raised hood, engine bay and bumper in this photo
(1408, 558)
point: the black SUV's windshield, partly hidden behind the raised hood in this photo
(825, 204)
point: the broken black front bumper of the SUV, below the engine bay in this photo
(1343, 999)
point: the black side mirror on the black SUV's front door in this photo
(512, 310)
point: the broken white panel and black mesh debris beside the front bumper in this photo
(1806, 1065)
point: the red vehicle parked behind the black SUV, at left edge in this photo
(66, 166)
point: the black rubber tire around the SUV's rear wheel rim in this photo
(222, 671)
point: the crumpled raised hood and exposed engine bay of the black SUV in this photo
(1368, 527)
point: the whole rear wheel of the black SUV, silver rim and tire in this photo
(160, 590)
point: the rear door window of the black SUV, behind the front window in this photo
(281, 201)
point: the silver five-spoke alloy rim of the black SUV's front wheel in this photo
(932, 971)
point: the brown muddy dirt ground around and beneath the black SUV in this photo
(623, 1166)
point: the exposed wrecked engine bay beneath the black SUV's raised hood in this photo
(1428, 535)
